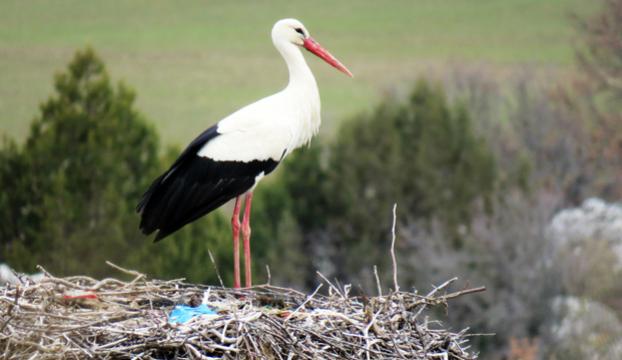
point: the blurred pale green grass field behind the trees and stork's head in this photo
(193, 62)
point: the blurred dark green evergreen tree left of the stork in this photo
(74, 183)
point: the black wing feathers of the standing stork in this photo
(193, 186)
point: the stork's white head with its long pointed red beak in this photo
(294, 32)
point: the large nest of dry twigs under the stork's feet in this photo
(80, 317)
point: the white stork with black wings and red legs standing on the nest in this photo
(227, 160)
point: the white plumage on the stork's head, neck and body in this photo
(279, 123)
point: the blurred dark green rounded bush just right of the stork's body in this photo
(422, 154)
